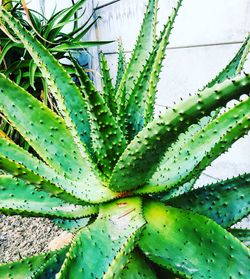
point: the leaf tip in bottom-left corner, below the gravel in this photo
(40, 267)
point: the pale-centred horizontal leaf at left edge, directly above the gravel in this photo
(20, 197)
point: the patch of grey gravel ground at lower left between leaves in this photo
(21, 237)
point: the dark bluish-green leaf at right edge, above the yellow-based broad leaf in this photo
(226, 202)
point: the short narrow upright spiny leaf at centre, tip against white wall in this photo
(108, 89)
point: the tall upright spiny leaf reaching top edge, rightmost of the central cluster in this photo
(140, 107)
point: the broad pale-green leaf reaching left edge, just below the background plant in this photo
(57, 146)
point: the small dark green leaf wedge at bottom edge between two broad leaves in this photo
(137, 268)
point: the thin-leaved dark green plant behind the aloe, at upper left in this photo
(16, 62)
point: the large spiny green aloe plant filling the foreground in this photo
(122, 178)
